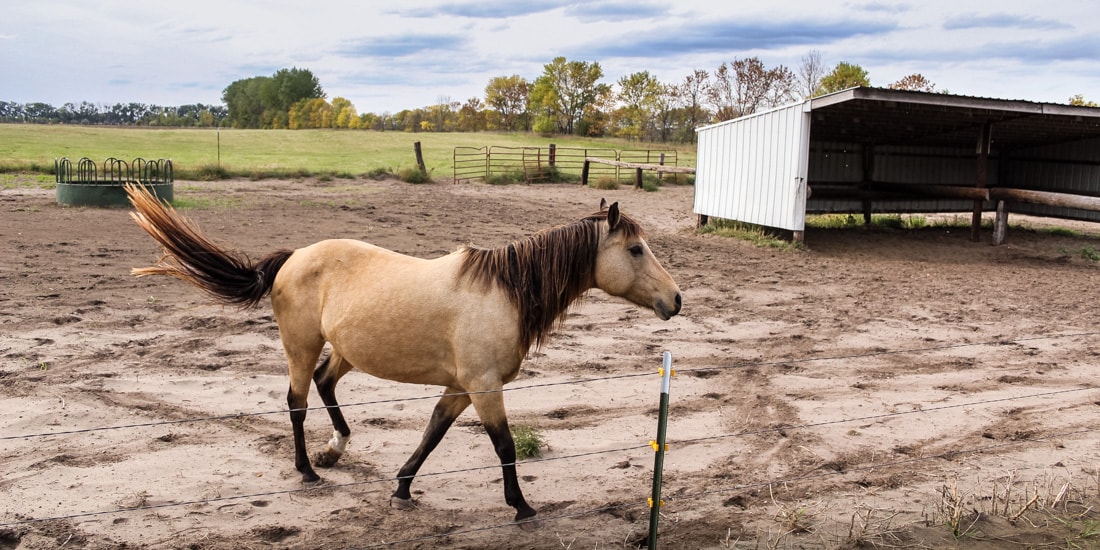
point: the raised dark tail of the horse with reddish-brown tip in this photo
(230, 278)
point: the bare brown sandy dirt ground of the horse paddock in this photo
(881, 389)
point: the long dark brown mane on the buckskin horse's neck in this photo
(543, 274)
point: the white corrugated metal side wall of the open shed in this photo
(754, 169)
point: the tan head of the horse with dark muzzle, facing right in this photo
(628, 269)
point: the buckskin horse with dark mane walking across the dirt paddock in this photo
(464, 322)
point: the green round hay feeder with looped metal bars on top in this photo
(105, 186)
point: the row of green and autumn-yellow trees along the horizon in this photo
(569, 97)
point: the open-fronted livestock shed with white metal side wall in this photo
(867, 150)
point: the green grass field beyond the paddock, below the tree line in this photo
(32, 148)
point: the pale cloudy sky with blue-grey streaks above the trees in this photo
(408, 54)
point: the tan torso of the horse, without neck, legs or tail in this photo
(395, 316)
